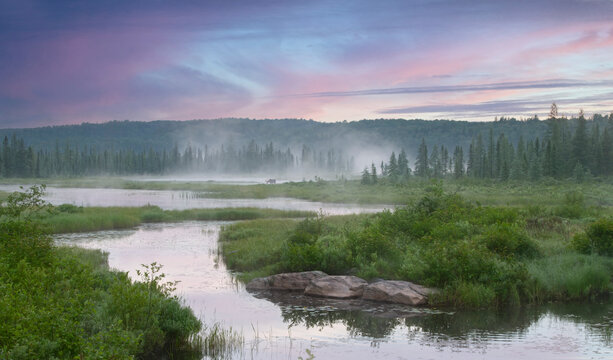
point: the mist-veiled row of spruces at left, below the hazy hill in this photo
(17, 160)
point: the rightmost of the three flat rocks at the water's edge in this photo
(400, 292)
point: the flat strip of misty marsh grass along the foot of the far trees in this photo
(546, 193)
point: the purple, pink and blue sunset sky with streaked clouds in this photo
(67, 62)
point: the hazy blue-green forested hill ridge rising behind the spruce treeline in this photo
(356, 137)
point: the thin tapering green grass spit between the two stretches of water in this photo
(70, 218)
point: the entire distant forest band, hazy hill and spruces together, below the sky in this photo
(503, 149)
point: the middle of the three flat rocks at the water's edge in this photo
(340, 287)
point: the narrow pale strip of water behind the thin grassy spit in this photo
(179, 200)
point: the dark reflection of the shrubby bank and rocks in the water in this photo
(378, 320)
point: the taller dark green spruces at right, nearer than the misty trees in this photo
(571, 148)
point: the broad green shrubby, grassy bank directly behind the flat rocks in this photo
(479, 256)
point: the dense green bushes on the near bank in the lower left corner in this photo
(65, 303)
